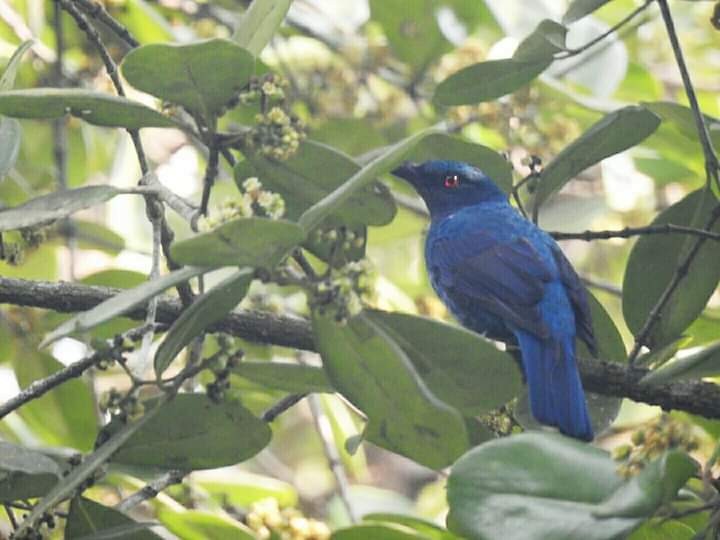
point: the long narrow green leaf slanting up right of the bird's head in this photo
(614, 133)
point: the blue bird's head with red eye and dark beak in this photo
(447, 186)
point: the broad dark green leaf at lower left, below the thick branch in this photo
(193, 432)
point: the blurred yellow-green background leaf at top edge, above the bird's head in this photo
(412, 30)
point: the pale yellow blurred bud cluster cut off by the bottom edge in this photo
(269, 521)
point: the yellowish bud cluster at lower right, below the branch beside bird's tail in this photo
(651, 441)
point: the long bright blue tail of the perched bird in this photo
(556, 394)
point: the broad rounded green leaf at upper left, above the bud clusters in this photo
(202, 76)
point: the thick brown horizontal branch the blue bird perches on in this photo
(609, 379)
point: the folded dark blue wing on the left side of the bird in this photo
(504, 278)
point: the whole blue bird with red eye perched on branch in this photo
(503, 277)
